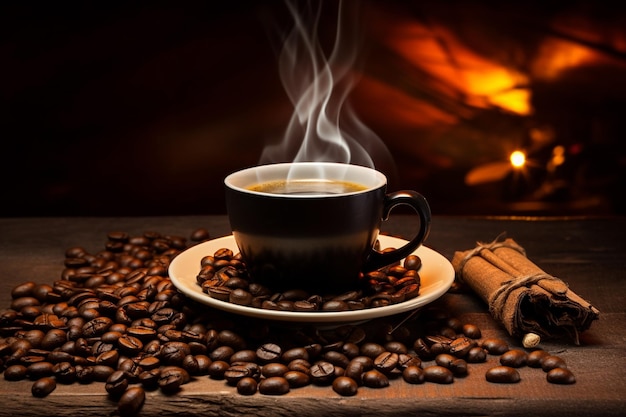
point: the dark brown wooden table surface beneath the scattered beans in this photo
(588, 254)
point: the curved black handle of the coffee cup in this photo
(415, 200)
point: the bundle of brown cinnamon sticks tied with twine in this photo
(520, 295)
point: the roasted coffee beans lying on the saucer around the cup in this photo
(223, 276)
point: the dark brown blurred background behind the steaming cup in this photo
(143, 108)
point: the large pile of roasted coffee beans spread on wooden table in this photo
(115, 318)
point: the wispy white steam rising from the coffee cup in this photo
(323, 126)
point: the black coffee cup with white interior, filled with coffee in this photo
(314, 225)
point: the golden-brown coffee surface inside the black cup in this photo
(307, 187)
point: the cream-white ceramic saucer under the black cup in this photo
(436, 273)
